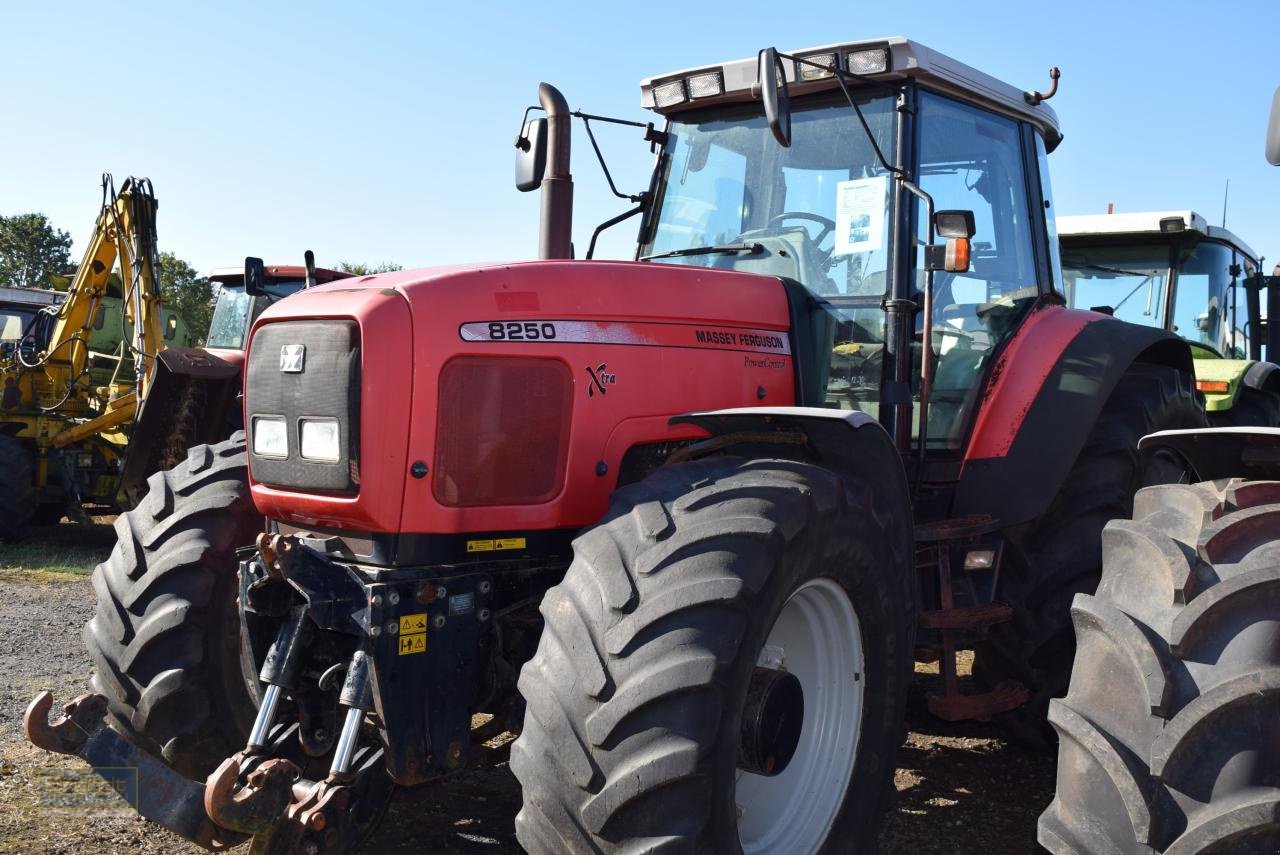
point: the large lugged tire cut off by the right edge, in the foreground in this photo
(1169, 730)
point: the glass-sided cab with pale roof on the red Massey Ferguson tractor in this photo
(842, 213)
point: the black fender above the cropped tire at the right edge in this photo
(1224, 452)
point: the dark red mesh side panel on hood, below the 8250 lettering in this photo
(502, 432)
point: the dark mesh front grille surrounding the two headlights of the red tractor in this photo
(307, 371)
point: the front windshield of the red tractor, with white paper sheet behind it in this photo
(819, 211)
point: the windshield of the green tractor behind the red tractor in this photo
(1128, 281)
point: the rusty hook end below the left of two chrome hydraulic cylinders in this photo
(250, 792)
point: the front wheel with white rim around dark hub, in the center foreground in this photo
(636, 696)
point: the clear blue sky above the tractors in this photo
(383, 132)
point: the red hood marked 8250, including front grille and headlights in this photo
(468, 399)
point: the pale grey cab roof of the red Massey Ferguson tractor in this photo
(908, 60)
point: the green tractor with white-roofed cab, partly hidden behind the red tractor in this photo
(1173, 271)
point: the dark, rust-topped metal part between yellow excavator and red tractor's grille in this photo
(186, 380)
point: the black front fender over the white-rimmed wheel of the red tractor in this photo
(844, 441)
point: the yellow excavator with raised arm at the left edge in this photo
(66, 409)
